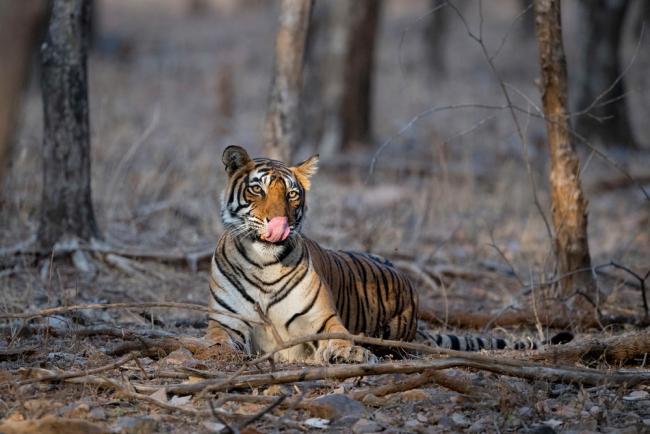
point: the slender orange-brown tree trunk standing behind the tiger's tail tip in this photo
(568, 202)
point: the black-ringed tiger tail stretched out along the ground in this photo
(478, 343)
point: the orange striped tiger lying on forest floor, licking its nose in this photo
(269, 283)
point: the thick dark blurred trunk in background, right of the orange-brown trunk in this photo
(606, 120)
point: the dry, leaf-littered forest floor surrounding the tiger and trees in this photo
(449, 201)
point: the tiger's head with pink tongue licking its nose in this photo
(264, 199)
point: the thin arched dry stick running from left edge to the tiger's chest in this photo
(169, 305)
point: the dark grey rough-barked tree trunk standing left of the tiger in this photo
(67, 209)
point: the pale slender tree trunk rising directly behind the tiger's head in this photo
(282, 120)
